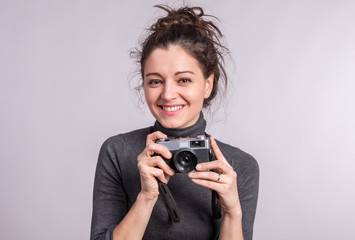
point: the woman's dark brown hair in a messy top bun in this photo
(187, 27)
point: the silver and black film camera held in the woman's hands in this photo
(187, 152)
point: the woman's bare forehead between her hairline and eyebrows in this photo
(173, 58)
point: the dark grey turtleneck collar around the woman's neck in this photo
(193, 131)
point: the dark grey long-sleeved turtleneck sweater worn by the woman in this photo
(117, 184)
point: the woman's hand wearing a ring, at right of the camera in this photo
(224, 183)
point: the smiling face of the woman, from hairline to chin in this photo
(175, 87)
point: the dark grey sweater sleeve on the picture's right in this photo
(248, 186)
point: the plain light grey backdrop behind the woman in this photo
(65, 70)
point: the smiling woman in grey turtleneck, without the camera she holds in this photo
(181, 65)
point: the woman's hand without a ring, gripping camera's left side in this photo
(152, 166)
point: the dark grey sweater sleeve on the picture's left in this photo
(109, 197)
